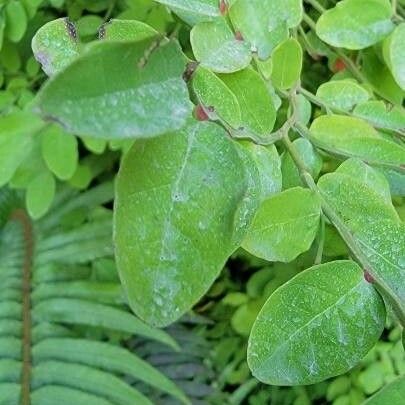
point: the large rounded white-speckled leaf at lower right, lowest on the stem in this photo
(318, 325)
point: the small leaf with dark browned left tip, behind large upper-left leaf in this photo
(126, 30)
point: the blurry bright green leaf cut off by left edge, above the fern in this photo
(16, 130)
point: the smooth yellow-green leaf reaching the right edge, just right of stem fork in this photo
(353, 137)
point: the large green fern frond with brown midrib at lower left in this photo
(63, 312)
